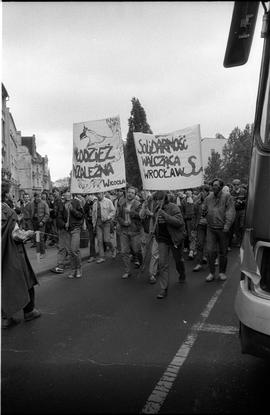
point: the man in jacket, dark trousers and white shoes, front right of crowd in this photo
(218, 208)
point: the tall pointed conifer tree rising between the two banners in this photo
(137, 122)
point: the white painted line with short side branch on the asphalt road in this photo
(161, 390)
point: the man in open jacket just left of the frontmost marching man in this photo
(130, 229)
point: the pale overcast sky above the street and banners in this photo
(70, 62)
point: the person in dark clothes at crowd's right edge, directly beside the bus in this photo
(239, 194)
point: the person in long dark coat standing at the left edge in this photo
(18, 277)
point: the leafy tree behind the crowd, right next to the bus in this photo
(237, 154)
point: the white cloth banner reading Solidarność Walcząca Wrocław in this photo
(170, 161)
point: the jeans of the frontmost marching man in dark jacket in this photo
(164, 251)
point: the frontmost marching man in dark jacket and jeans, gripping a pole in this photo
(169, 234)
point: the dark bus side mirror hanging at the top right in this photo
(241, 33)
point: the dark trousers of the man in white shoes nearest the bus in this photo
(216, 238)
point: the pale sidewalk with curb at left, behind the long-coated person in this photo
(50, 259)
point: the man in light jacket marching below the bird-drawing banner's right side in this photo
(102, 215)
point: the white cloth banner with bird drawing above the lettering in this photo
(98, 156)
